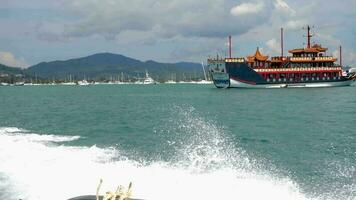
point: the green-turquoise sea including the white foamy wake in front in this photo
(178, 141)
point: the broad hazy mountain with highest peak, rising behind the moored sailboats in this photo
(106, 65)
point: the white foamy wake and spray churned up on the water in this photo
(36, 166)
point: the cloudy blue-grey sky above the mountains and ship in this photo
(32, 31)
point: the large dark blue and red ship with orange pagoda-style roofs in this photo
(306, 67)
